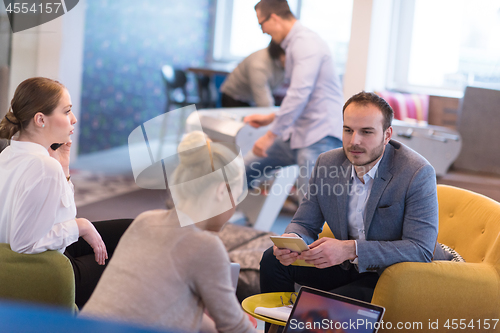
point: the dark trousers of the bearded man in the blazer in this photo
(274, 277)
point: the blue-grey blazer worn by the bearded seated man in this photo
(401, 222)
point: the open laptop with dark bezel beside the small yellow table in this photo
(319, 311)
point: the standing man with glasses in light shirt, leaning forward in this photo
(309, 120)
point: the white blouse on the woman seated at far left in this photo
(37, 204)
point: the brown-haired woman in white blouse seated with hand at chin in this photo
(37, 206)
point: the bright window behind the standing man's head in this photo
(237, 32)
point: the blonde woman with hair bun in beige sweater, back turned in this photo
(170, 266)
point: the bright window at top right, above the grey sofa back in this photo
(447, 45)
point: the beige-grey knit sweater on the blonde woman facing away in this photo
(164, 275)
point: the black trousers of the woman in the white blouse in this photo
(82, 257)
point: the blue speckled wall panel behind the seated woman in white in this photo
(126, 44)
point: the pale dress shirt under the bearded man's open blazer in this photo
(358, 197)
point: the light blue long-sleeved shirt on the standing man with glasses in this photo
(312, 107)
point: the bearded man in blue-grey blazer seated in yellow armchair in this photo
(379, 199)
